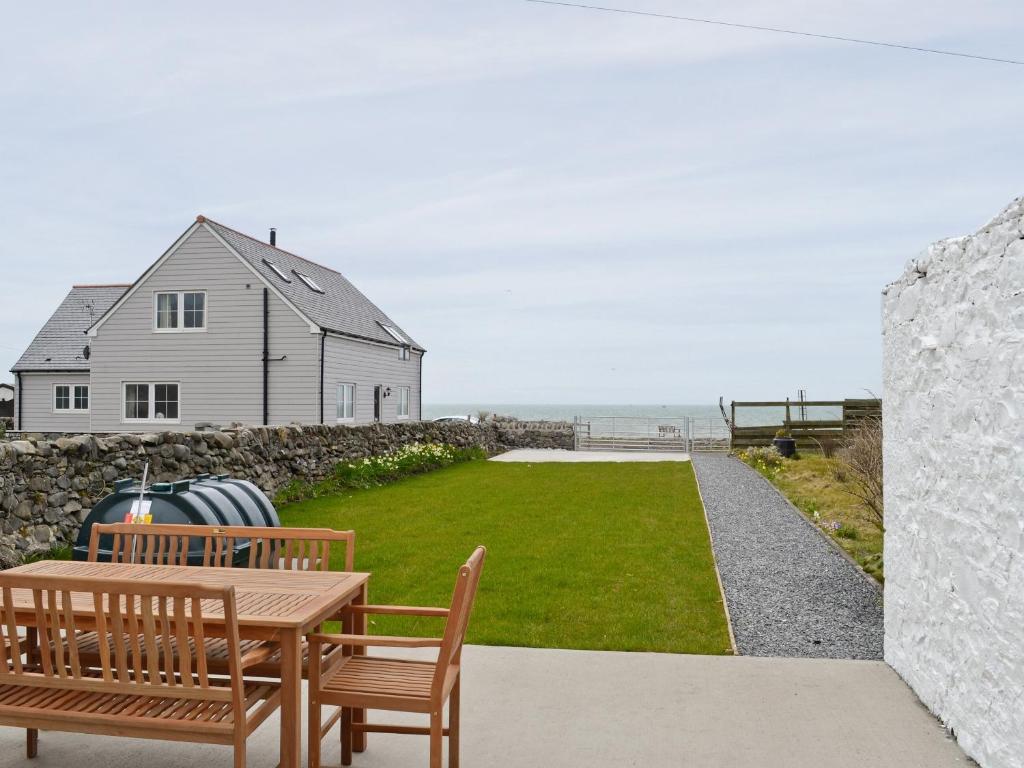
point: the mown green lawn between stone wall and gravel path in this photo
(599, 557)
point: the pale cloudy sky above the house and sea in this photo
(563, 206)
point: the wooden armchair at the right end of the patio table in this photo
(350, 679)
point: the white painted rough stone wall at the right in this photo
(954, 415)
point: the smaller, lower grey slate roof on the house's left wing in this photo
(59, 346)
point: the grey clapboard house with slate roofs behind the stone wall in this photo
(223, 328)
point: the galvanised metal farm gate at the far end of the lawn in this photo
(685, 434)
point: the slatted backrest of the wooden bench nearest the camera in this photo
(146, 622)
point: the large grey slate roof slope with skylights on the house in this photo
(342, 308)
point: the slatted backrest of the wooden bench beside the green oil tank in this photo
(223, 546)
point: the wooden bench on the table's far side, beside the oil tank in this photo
(288, 549)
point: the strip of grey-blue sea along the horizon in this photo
(567, 412)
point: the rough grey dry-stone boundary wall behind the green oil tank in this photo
(50, 485)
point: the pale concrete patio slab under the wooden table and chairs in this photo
(528, 707)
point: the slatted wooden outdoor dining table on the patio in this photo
(280, 606)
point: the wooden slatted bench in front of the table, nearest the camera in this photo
(142, 690)
